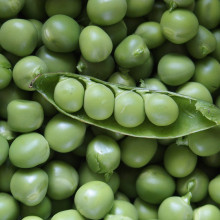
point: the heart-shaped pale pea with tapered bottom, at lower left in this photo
(29, 186)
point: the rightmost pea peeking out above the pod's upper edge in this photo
(195, 90)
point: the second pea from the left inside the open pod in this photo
(98, 101)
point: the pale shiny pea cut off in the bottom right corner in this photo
(206, 212)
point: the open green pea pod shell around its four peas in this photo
(194, 115)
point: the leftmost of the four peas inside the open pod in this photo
(69, 94)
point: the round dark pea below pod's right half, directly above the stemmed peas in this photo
(179, 160)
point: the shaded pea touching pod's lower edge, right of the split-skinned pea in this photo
(137, 152)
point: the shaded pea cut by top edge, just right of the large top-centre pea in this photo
(138, 8)
